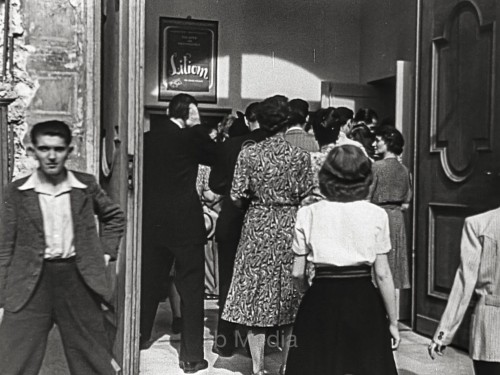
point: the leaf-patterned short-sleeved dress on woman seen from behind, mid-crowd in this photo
(274, 176)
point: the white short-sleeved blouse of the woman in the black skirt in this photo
(341, 234)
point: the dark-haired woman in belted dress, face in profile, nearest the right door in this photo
(391, 190)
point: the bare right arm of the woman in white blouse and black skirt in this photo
(386, 286)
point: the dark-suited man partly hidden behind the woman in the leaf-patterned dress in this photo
(230, 221)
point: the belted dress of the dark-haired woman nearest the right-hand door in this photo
(390, 189)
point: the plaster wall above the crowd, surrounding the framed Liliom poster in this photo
(266, 48)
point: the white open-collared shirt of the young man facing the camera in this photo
(56, 213)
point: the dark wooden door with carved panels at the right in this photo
(458, 138)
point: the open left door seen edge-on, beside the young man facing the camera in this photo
(122, 46)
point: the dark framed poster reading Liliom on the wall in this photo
(188, 59)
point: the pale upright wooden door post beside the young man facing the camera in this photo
(135, 58)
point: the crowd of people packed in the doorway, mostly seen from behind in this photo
(303, 199)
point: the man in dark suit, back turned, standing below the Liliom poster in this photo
(173, 223)
